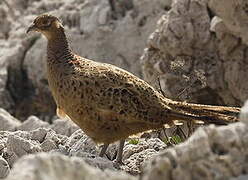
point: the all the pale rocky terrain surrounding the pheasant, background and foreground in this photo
(196, 48)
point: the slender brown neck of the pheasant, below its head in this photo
(58, 49)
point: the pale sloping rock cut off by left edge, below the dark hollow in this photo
(8, 122)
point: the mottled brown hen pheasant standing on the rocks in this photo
(107, 102)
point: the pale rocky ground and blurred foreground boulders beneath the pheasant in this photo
(210, 153)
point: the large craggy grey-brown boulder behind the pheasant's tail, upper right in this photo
(199, 52)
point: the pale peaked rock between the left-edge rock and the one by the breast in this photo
(32, 123)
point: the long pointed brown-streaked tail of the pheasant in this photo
(204, 113)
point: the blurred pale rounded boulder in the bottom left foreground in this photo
(56, 166)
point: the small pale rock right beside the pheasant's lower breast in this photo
(64, 126)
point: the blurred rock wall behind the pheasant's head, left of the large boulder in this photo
(108, 31)
